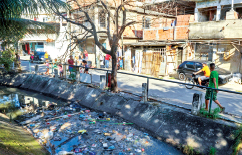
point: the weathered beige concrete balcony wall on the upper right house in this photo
(226, 29)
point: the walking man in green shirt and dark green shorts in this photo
(213, 83)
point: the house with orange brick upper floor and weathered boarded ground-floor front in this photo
(165, 39)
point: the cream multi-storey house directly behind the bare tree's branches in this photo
(132, 34)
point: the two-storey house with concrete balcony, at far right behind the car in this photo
(216, 34)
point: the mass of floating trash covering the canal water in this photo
(76, 130)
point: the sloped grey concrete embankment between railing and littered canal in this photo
(168, 123)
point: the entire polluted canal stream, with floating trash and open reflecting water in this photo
(70, 129)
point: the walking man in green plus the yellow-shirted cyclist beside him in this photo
(212, 75)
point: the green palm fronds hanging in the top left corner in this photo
(13, 27)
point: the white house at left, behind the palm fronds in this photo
(54, 42)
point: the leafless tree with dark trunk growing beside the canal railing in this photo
(116, 17)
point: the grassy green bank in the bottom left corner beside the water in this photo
(16, 141)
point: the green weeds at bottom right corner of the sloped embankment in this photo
(238, 140)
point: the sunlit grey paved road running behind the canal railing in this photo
(169, 92)
